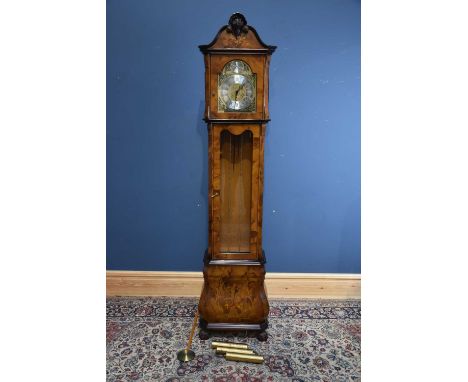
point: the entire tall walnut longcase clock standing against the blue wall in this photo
(236, 112)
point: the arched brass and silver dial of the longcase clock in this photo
(236, 88)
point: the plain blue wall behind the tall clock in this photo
(157, 141)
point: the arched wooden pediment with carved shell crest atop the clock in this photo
(238, 37)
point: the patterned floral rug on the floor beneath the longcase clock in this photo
(309, 340)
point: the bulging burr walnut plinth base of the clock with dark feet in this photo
(233, 297)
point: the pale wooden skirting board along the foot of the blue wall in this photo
(278, 285)
